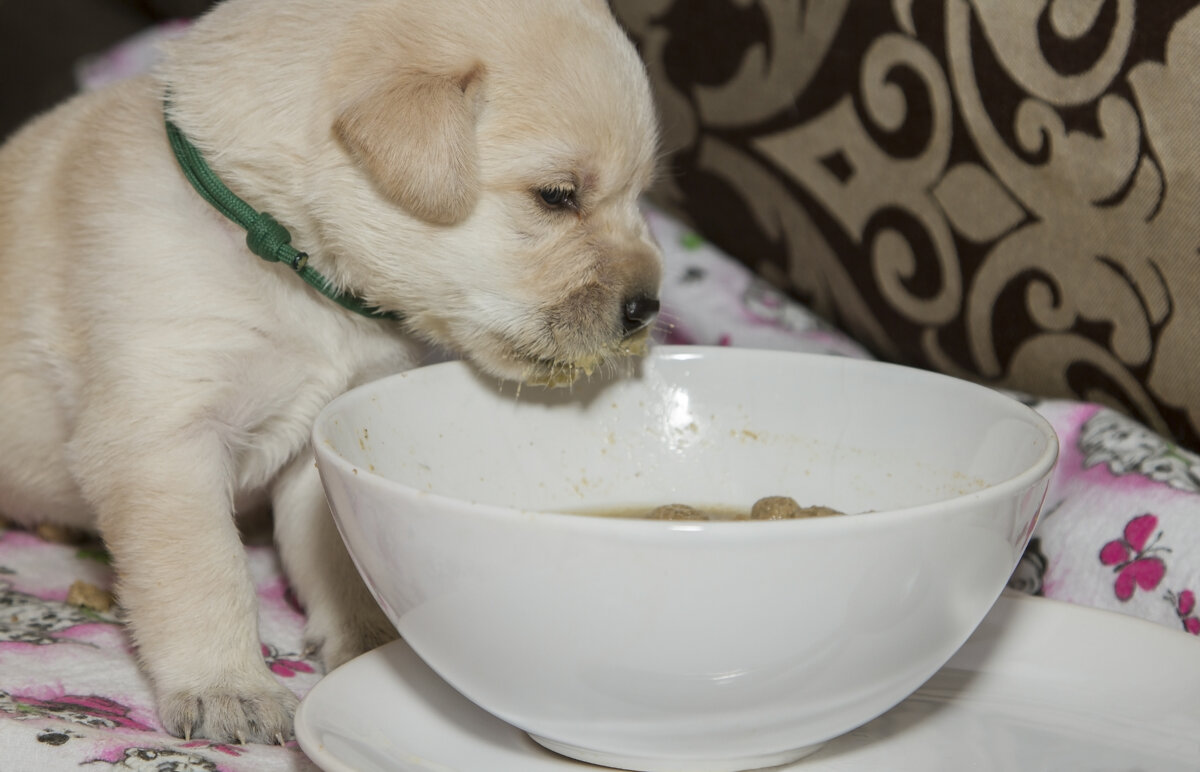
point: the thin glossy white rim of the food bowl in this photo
(1041, 468)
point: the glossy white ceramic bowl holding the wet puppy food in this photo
(698, 647)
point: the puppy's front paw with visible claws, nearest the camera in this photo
(230, 716)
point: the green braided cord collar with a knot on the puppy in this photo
(265, 236)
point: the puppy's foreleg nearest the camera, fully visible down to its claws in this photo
(165, 512)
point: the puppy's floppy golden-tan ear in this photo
(416, 137)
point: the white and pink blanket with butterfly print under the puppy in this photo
(1120, 531)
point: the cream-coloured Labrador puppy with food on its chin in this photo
(471, 170)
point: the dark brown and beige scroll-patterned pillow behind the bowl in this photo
(1004, 190)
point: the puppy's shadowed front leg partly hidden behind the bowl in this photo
(344, 619)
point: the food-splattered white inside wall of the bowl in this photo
(718, 429)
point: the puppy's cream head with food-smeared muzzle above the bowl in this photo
(495, 155)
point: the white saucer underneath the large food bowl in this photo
(1040, 686)
